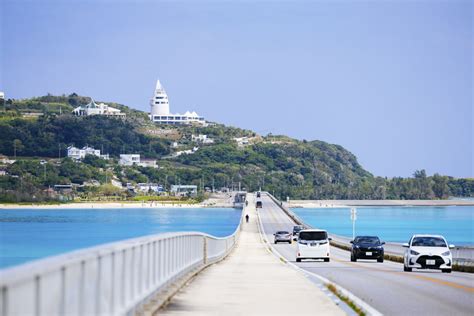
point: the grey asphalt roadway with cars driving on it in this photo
(382, 285)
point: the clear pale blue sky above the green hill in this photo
(389, 80)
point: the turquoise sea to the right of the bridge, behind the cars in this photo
(397, 224)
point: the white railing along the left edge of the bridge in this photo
(112, 279)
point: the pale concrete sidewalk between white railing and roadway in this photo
(251, 281)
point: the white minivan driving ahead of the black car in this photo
(312, 244)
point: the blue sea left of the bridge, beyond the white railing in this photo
(27, 234)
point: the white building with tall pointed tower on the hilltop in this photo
(160, 110)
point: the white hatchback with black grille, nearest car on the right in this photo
(428, 252)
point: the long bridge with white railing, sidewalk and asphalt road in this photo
(195, 273)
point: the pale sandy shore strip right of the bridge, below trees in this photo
(349, 203)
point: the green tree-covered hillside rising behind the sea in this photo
(298, 169)
